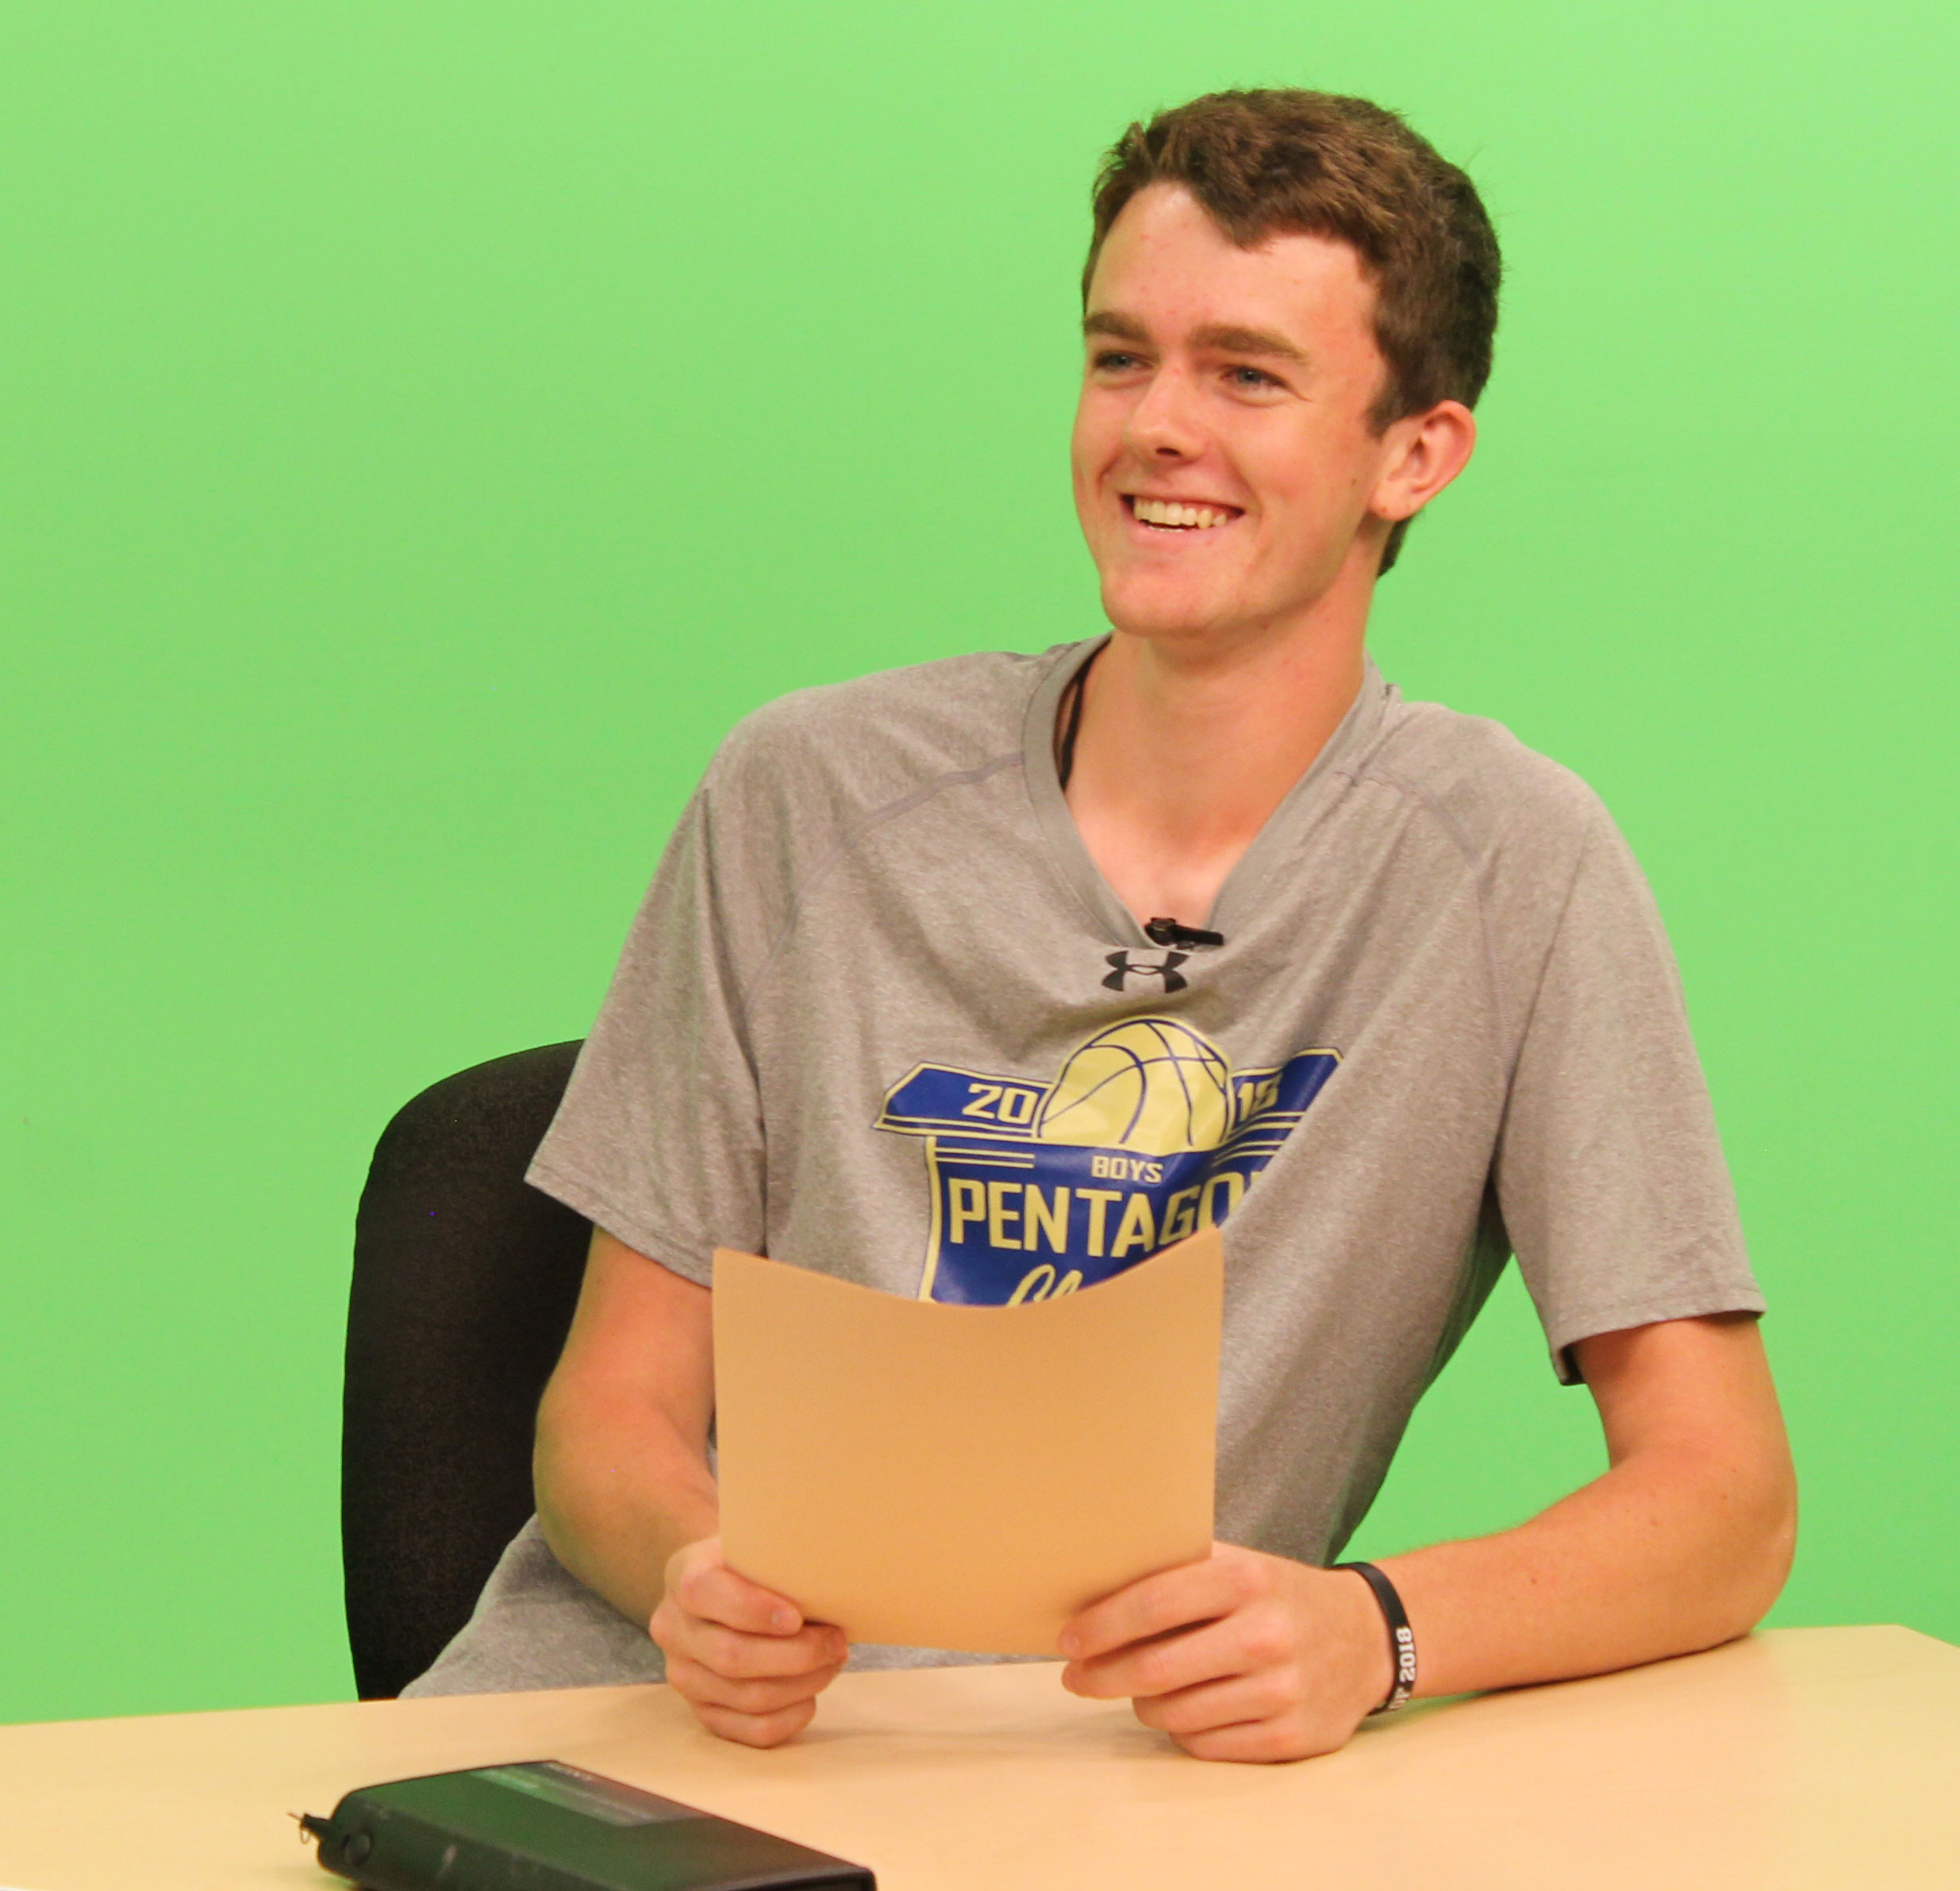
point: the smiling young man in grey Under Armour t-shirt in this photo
(987, 979)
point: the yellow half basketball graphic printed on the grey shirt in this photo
(1150, 1085)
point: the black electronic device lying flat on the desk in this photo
(542, 1825)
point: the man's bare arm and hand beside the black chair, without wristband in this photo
(628, 1504)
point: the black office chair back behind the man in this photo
(465, 1283)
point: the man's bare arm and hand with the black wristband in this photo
(1683, 1543)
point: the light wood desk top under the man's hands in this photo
(1796, 1759)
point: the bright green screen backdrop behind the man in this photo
(426, 428)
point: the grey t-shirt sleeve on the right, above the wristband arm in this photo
(1610, 1173)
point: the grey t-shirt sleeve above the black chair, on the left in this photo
(660, 1138)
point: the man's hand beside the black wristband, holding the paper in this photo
(1242, 1657)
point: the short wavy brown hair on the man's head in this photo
(1314, 164)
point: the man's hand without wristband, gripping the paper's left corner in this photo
(744, 1657)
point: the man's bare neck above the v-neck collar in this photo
(1187, 750)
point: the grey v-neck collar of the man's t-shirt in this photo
(1240, 893)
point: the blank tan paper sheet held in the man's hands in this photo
(965, 1477)
